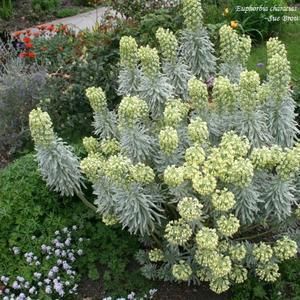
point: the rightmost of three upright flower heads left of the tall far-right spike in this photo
(248, 89)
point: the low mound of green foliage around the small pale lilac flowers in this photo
(30, 215)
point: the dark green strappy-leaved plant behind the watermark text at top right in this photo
(257, 23)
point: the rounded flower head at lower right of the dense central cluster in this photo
(241, 172)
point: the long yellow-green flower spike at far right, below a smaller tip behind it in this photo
(279, 76)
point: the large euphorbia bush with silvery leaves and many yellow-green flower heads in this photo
(207, 173)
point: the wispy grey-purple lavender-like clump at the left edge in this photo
(20, 91)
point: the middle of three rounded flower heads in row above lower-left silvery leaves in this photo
(117, 167)
